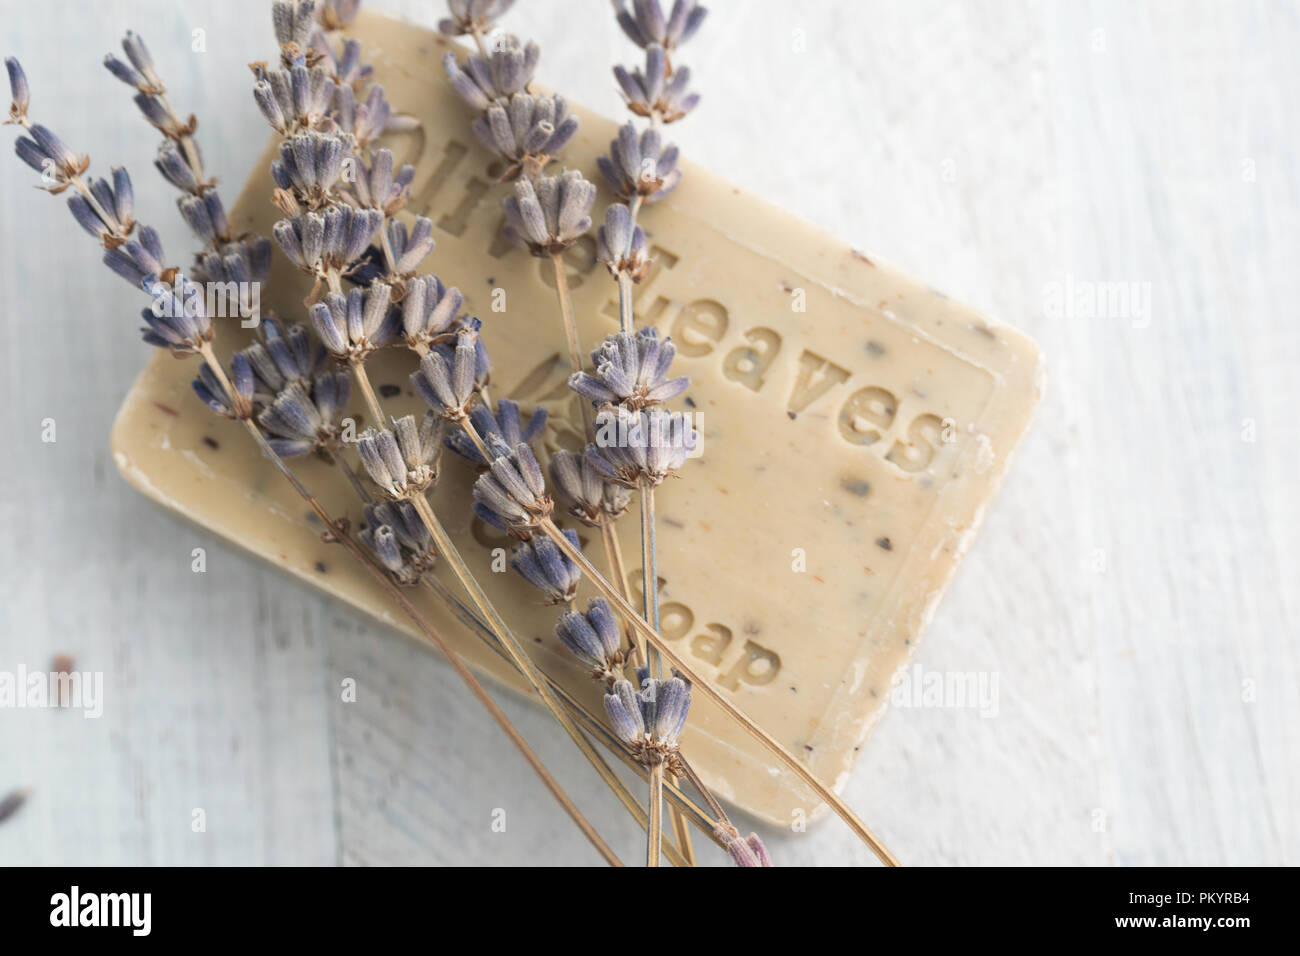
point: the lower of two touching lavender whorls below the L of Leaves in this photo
(642, 447)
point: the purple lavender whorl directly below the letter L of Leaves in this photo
(631, 371)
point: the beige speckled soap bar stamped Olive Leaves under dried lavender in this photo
(856, 425)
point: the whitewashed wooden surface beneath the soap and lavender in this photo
(1136, 586)
